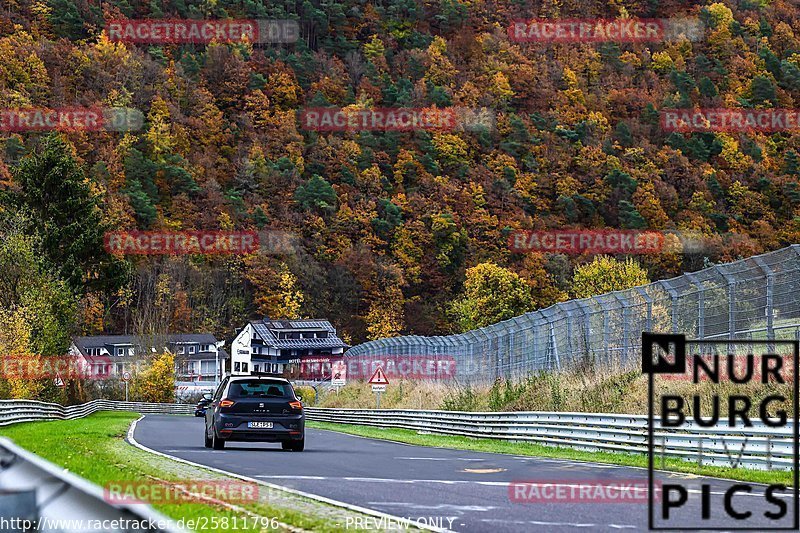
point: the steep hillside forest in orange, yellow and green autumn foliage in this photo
(397, 230)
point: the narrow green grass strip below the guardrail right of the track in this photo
(408, 436)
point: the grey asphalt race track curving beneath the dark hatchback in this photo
(470, 488)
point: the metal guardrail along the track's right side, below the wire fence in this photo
(761, 447)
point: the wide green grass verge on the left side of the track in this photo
(94, 448)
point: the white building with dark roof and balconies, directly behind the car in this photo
(278, 346)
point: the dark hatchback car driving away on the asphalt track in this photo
(255, 409)
